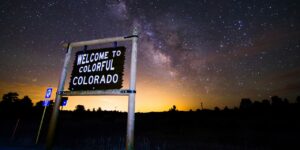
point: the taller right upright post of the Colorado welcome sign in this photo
(131, 99)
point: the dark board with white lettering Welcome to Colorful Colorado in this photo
(98, 69)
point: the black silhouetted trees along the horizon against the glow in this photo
(13, 105)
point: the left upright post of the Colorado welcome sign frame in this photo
(55, 111)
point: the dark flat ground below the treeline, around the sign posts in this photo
(203, 129)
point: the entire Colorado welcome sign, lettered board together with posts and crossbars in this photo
(98, 72)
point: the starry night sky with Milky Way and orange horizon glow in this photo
(213, 52)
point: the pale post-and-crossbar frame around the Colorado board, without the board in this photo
(126, 92)
